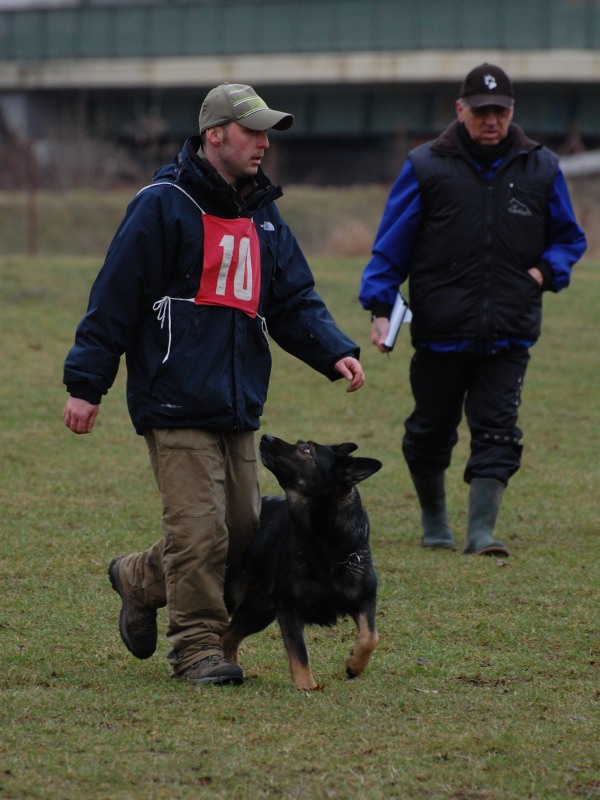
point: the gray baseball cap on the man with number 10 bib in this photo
(238, 102)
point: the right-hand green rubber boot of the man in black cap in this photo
(485, 497)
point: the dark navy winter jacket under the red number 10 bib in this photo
(188, 365)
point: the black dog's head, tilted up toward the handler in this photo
(315, 469)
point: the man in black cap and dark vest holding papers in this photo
(481, 223)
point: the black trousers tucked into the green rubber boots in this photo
(489, 389)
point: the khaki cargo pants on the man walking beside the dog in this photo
(211, 506)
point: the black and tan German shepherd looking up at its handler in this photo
(310, 562)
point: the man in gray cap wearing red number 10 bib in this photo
(202, 270)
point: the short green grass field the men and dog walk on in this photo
(485, 685)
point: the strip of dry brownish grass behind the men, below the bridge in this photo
(327, 221)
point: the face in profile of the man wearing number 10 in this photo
(239, 152)
